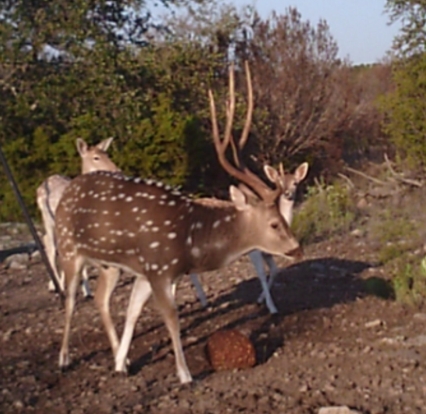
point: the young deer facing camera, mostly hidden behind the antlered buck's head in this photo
(288, 183)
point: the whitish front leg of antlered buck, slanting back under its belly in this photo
(140, 294)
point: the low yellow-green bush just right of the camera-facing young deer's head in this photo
(327, 210)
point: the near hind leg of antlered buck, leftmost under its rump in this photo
(72, 270)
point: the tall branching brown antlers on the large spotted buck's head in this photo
(242, 174)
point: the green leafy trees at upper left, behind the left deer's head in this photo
(86, 69)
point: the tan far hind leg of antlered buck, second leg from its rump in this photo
(107, 281)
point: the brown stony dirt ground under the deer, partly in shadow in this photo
(330, 344)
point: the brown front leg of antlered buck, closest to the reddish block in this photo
(163, 294)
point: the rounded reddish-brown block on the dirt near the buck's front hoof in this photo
(230, 349)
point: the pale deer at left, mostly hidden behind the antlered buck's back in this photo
(49, 193)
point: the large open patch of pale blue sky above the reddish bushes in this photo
(360, 27)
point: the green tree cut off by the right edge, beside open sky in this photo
(405, 107)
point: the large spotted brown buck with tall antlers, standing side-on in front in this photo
(158, 234)
